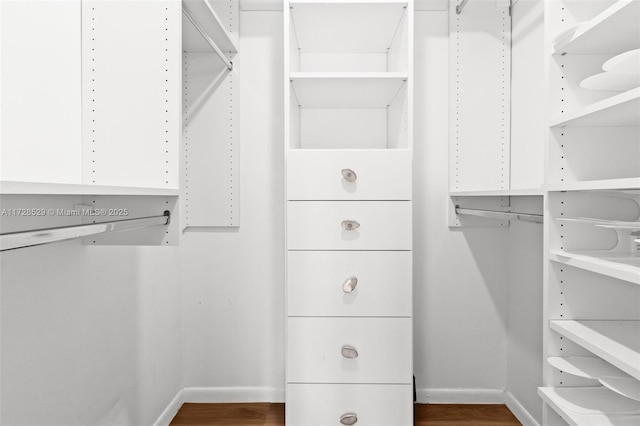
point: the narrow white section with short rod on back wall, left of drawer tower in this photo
(210, 179)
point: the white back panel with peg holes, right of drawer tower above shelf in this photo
(479, 62)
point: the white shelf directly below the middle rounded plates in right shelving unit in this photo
(623, 266)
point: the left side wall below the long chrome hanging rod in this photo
(90, 335)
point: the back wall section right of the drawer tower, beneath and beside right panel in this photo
(459, 274)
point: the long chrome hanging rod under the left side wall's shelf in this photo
(36, 237)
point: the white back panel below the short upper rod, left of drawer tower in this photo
(210, 139)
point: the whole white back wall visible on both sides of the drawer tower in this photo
(234, 278)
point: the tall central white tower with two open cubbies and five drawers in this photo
(348, 154)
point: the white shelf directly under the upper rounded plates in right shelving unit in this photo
(621, 110)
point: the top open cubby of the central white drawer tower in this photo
(348, 36)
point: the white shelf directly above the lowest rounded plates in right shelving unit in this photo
(617, 342)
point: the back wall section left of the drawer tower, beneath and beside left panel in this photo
(234, 277)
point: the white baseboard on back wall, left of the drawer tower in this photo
(233, 394)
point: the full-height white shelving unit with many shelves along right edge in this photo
(592, 260)
